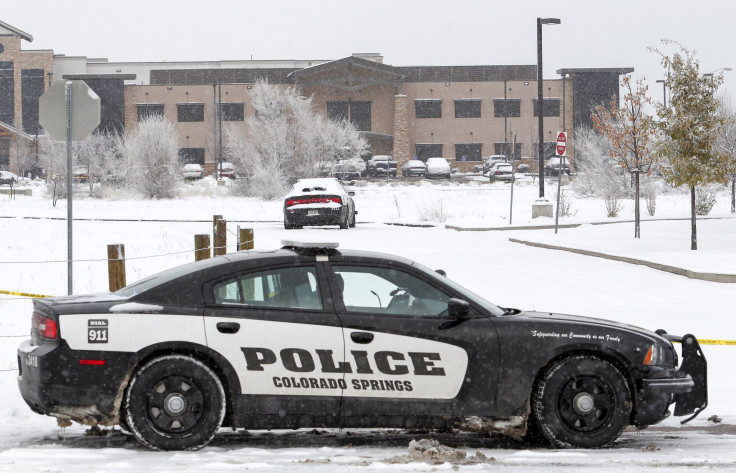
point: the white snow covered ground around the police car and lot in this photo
(159, 235)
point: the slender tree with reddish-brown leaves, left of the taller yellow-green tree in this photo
(629, 135)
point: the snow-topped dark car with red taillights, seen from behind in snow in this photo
(319, 201)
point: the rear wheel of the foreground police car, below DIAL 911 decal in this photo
(175, 402)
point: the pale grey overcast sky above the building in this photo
(593, 33)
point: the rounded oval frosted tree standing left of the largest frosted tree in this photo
(151, 154)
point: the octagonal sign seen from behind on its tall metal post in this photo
(69, 111)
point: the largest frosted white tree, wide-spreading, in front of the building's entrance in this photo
(286, 140)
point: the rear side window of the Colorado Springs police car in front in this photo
(283, 287)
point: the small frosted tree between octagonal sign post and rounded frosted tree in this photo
(98, 154)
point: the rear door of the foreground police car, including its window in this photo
(283, 339)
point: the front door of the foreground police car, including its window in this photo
(408, 357)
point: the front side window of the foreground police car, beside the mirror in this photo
(388, 291)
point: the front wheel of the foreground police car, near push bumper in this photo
(582, 402)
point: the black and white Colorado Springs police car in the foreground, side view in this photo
(312, 336)
